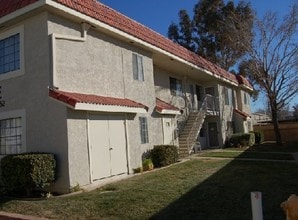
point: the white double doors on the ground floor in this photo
(107, 145)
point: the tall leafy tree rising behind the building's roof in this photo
(215, 30)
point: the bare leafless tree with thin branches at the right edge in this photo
(273, 61)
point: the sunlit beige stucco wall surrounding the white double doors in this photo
(103, 66)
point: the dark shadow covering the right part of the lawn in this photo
(226, 194)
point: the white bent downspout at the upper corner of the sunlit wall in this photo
(84, 28)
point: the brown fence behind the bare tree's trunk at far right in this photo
(288, 130)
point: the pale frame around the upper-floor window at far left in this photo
(8, 33)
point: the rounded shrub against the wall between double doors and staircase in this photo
(163, 155)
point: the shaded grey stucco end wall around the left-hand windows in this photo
(45, 119)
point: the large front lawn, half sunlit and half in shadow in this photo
(196, 189)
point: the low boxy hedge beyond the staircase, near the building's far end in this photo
(242, 140)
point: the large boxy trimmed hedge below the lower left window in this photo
(27, 172)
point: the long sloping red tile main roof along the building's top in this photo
(119, 21)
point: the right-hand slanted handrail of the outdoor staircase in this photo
(191, 138)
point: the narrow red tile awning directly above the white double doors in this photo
(72, 99)
